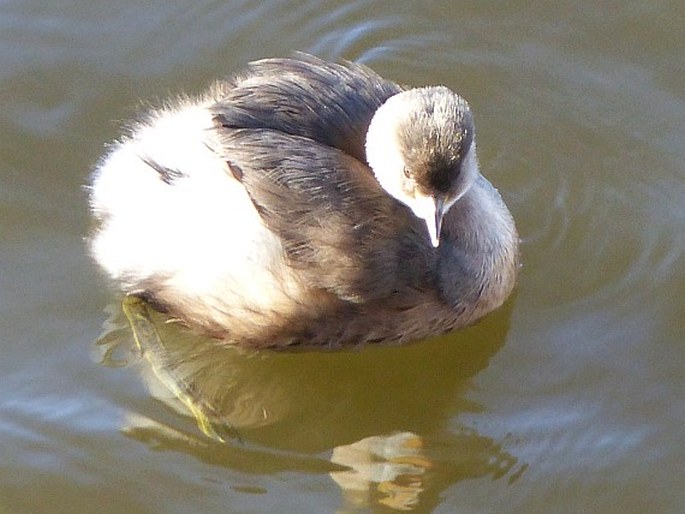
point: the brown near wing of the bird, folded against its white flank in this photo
(338, 227)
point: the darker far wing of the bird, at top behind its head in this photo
(326, 102)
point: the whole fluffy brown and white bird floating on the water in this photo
(306, 203)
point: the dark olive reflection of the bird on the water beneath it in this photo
(380, 421)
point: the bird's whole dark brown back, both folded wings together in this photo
(296, 128)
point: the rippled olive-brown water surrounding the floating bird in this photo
(569, 399)
